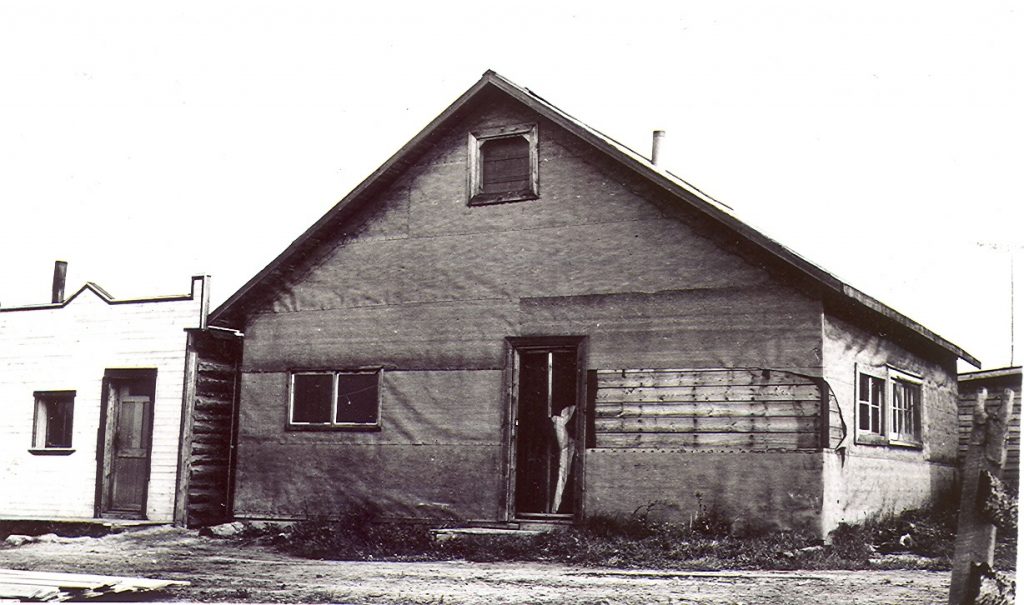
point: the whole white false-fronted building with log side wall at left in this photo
(100, 417)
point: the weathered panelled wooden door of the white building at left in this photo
(127, 445)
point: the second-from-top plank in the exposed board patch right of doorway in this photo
(711, 394)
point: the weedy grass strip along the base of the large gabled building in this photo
(916, 540)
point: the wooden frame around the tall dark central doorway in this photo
(515, 345)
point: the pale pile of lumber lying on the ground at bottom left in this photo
(46, 586)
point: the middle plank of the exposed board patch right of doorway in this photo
(708, 410)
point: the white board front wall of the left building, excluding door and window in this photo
(69, 349)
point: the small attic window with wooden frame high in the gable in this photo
(503, 165)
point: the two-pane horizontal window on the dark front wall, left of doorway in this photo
(335, 400)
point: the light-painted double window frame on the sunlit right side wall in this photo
(887, 437)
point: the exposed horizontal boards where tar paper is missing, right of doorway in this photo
(707, 410)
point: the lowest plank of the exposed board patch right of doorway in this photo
(742, 442)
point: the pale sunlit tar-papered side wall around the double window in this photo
(862, 480)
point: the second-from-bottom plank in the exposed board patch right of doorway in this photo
(707, 425)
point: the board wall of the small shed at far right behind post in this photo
(969, 388)
